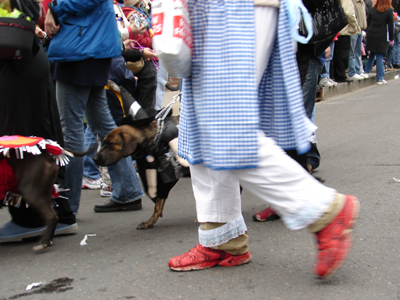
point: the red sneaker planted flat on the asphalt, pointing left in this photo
(200, 257)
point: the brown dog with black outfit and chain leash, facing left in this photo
(138, 141)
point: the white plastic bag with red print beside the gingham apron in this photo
(172, 38)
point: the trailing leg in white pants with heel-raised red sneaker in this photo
(302, 202)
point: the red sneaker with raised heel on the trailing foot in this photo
(334, 241)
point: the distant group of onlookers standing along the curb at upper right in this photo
(372, 40)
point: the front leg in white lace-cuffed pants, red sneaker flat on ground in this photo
(222, 232)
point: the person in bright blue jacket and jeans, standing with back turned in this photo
(84, 40)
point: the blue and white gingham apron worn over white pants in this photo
(222, 108)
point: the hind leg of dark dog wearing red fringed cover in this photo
(36, 175)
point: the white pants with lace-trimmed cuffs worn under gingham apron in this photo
(297, 196)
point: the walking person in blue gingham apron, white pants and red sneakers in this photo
(241, 108)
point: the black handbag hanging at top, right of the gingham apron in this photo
(327, 20)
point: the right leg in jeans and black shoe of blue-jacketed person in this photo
(127, 191)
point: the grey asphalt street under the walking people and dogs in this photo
(358, 138)
